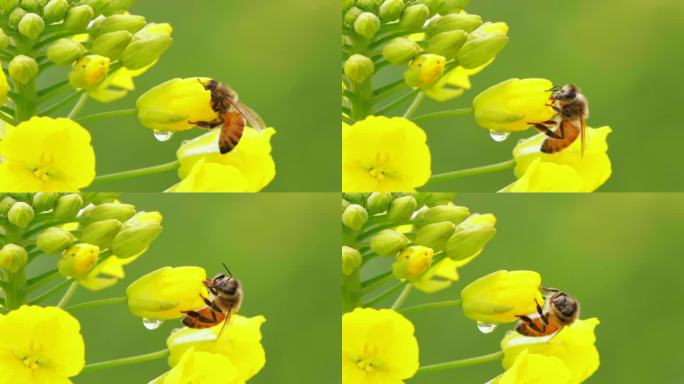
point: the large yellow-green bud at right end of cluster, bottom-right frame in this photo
(471, 236)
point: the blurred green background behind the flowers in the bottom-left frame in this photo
(276, 244)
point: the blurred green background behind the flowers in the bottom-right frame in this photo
(618, 254)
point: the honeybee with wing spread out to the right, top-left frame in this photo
(231, 115)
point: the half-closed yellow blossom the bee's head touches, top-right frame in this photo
(511, 105)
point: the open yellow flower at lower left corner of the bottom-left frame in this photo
(40, 345)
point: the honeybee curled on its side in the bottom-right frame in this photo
(560, 310)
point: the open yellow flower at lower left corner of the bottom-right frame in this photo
(378, 347)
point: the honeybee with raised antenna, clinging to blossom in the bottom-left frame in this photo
(226, 298)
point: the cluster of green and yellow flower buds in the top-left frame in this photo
(91, 36)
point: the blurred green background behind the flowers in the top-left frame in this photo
(280, 56)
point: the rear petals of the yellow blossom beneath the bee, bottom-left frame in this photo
(240, 342)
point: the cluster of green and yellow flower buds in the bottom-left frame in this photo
(92, 234)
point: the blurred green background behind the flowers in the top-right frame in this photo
(626, 57)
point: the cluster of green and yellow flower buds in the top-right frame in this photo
(428, 36)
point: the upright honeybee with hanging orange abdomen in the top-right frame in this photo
(572, 111)
